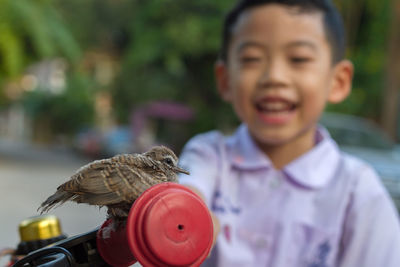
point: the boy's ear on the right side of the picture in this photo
(342, 81)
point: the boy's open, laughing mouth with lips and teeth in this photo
(275, 110)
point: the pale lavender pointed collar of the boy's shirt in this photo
(313, 169)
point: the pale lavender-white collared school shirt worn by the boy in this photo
(324, 209)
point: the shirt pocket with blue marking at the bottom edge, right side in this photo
(315, 246)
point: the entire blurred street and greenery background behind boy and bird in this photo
(81, 80)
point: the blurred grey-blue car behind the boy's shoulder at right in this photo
(364, 139)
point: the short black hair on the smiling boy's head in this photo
(333, 22)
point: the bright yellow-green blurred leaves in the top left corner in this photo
(31, 30)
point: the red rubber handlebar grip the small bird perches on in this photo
(167, 226)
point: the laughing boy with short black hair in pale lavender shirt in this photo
(279, 188)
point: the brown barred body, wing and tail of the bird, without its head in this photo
(108, 182)
